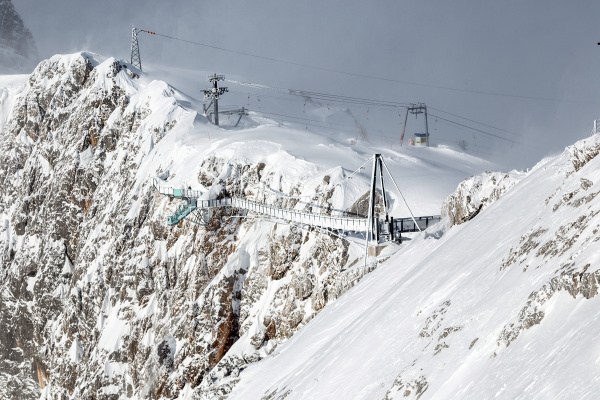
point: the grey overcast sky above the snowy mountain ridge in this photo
(529, 67)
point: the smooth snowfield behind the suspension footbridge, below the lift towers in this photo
(425, 175)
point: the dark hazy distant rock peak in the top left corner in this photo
(18, 52)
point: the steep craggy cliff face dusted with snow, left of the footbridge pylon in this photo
(100, 299)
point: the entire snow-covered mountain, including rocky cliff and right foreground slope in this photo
(101, 299)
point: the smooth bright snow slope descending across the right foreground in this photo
(504, 306)
